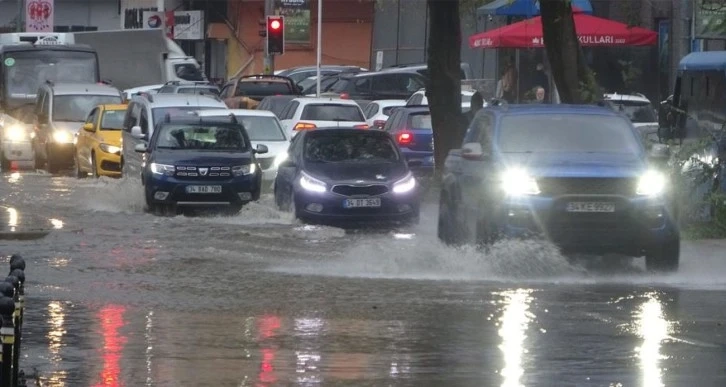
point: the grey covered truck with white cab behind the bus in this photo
(133, 58)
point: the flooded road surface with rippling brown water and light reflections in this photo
(117, 297)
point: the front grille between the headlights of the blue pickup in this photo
(587, 186)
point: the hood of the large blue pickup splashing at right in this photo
(578, 164)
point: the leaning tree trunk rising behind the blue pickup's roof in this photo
(565, 53)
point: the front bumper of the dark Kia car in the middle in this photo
(329, 208)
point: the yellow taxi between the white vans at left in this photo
(98, 146)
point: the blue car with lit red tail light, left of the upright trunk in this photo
(411, 127)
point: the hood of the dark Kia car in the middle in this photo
(357, 172)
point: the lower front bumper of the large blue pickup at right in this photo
(636, 225)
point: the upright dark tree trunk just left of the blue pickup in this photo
(444, 86)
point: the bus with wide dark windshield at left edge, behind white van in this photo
(28, 61)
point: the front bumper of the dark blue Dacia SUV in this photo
(238, 190)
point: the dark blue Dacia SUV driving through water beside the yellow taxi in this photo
(193, 163)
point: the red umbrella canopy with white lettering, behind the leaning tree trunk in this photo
(591, 31)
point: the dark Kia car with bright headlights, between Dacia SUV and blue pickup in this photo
(335, 175)
